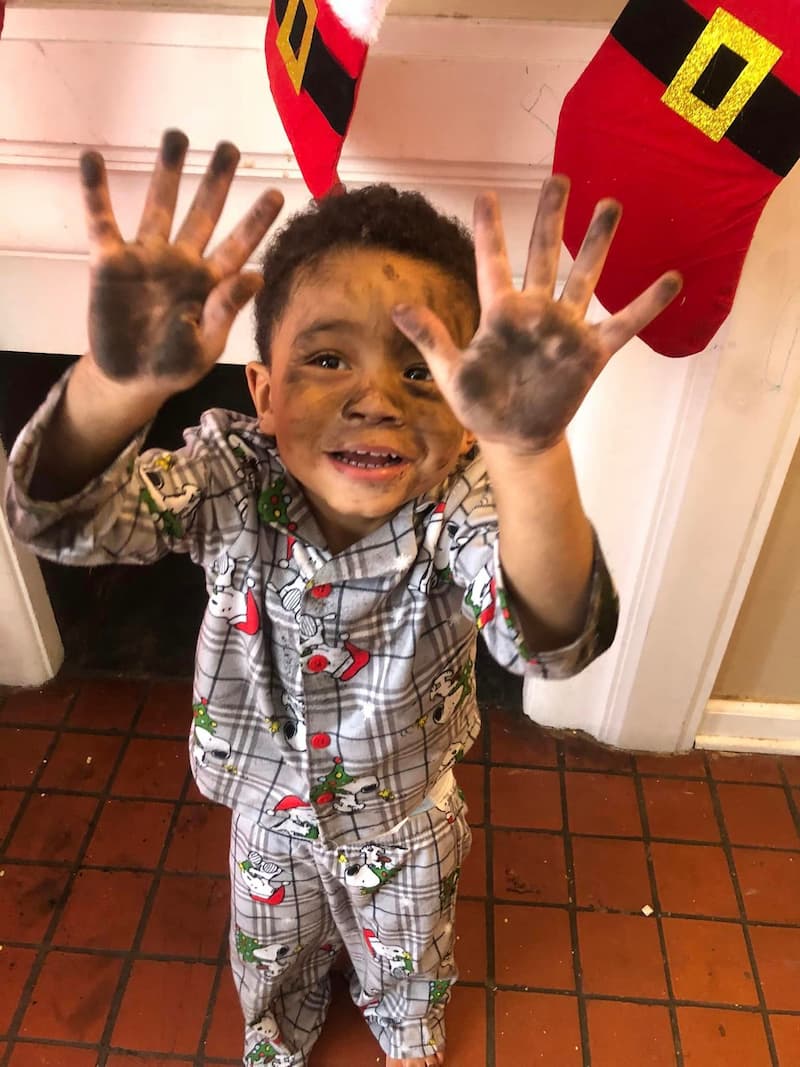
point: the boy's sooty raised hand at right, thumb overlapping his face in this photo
(534, 359)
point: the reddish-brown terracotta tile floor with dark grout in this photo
(114, 900)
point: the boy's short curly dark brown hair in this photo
(375, 217)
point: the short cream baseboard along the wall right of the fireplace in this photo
(750, 726)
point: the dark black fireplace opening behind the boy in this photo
(143, 622)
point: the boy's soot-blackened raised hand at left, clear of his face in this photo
(161, 313)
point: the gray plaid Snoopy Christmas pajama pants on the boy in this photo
(391, 902)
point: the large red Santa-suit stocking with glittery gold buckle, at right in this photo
(690, 116)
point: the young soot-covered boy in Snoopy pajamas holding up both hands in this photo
(355, 540)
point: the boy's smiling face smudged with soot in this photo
(359, 420)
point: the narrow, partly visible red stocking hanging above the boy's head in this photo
(316, 52)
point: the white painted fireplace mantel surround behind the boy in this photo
(680, 461)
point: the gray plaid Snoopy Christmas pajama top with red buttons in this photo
(331, 693)
